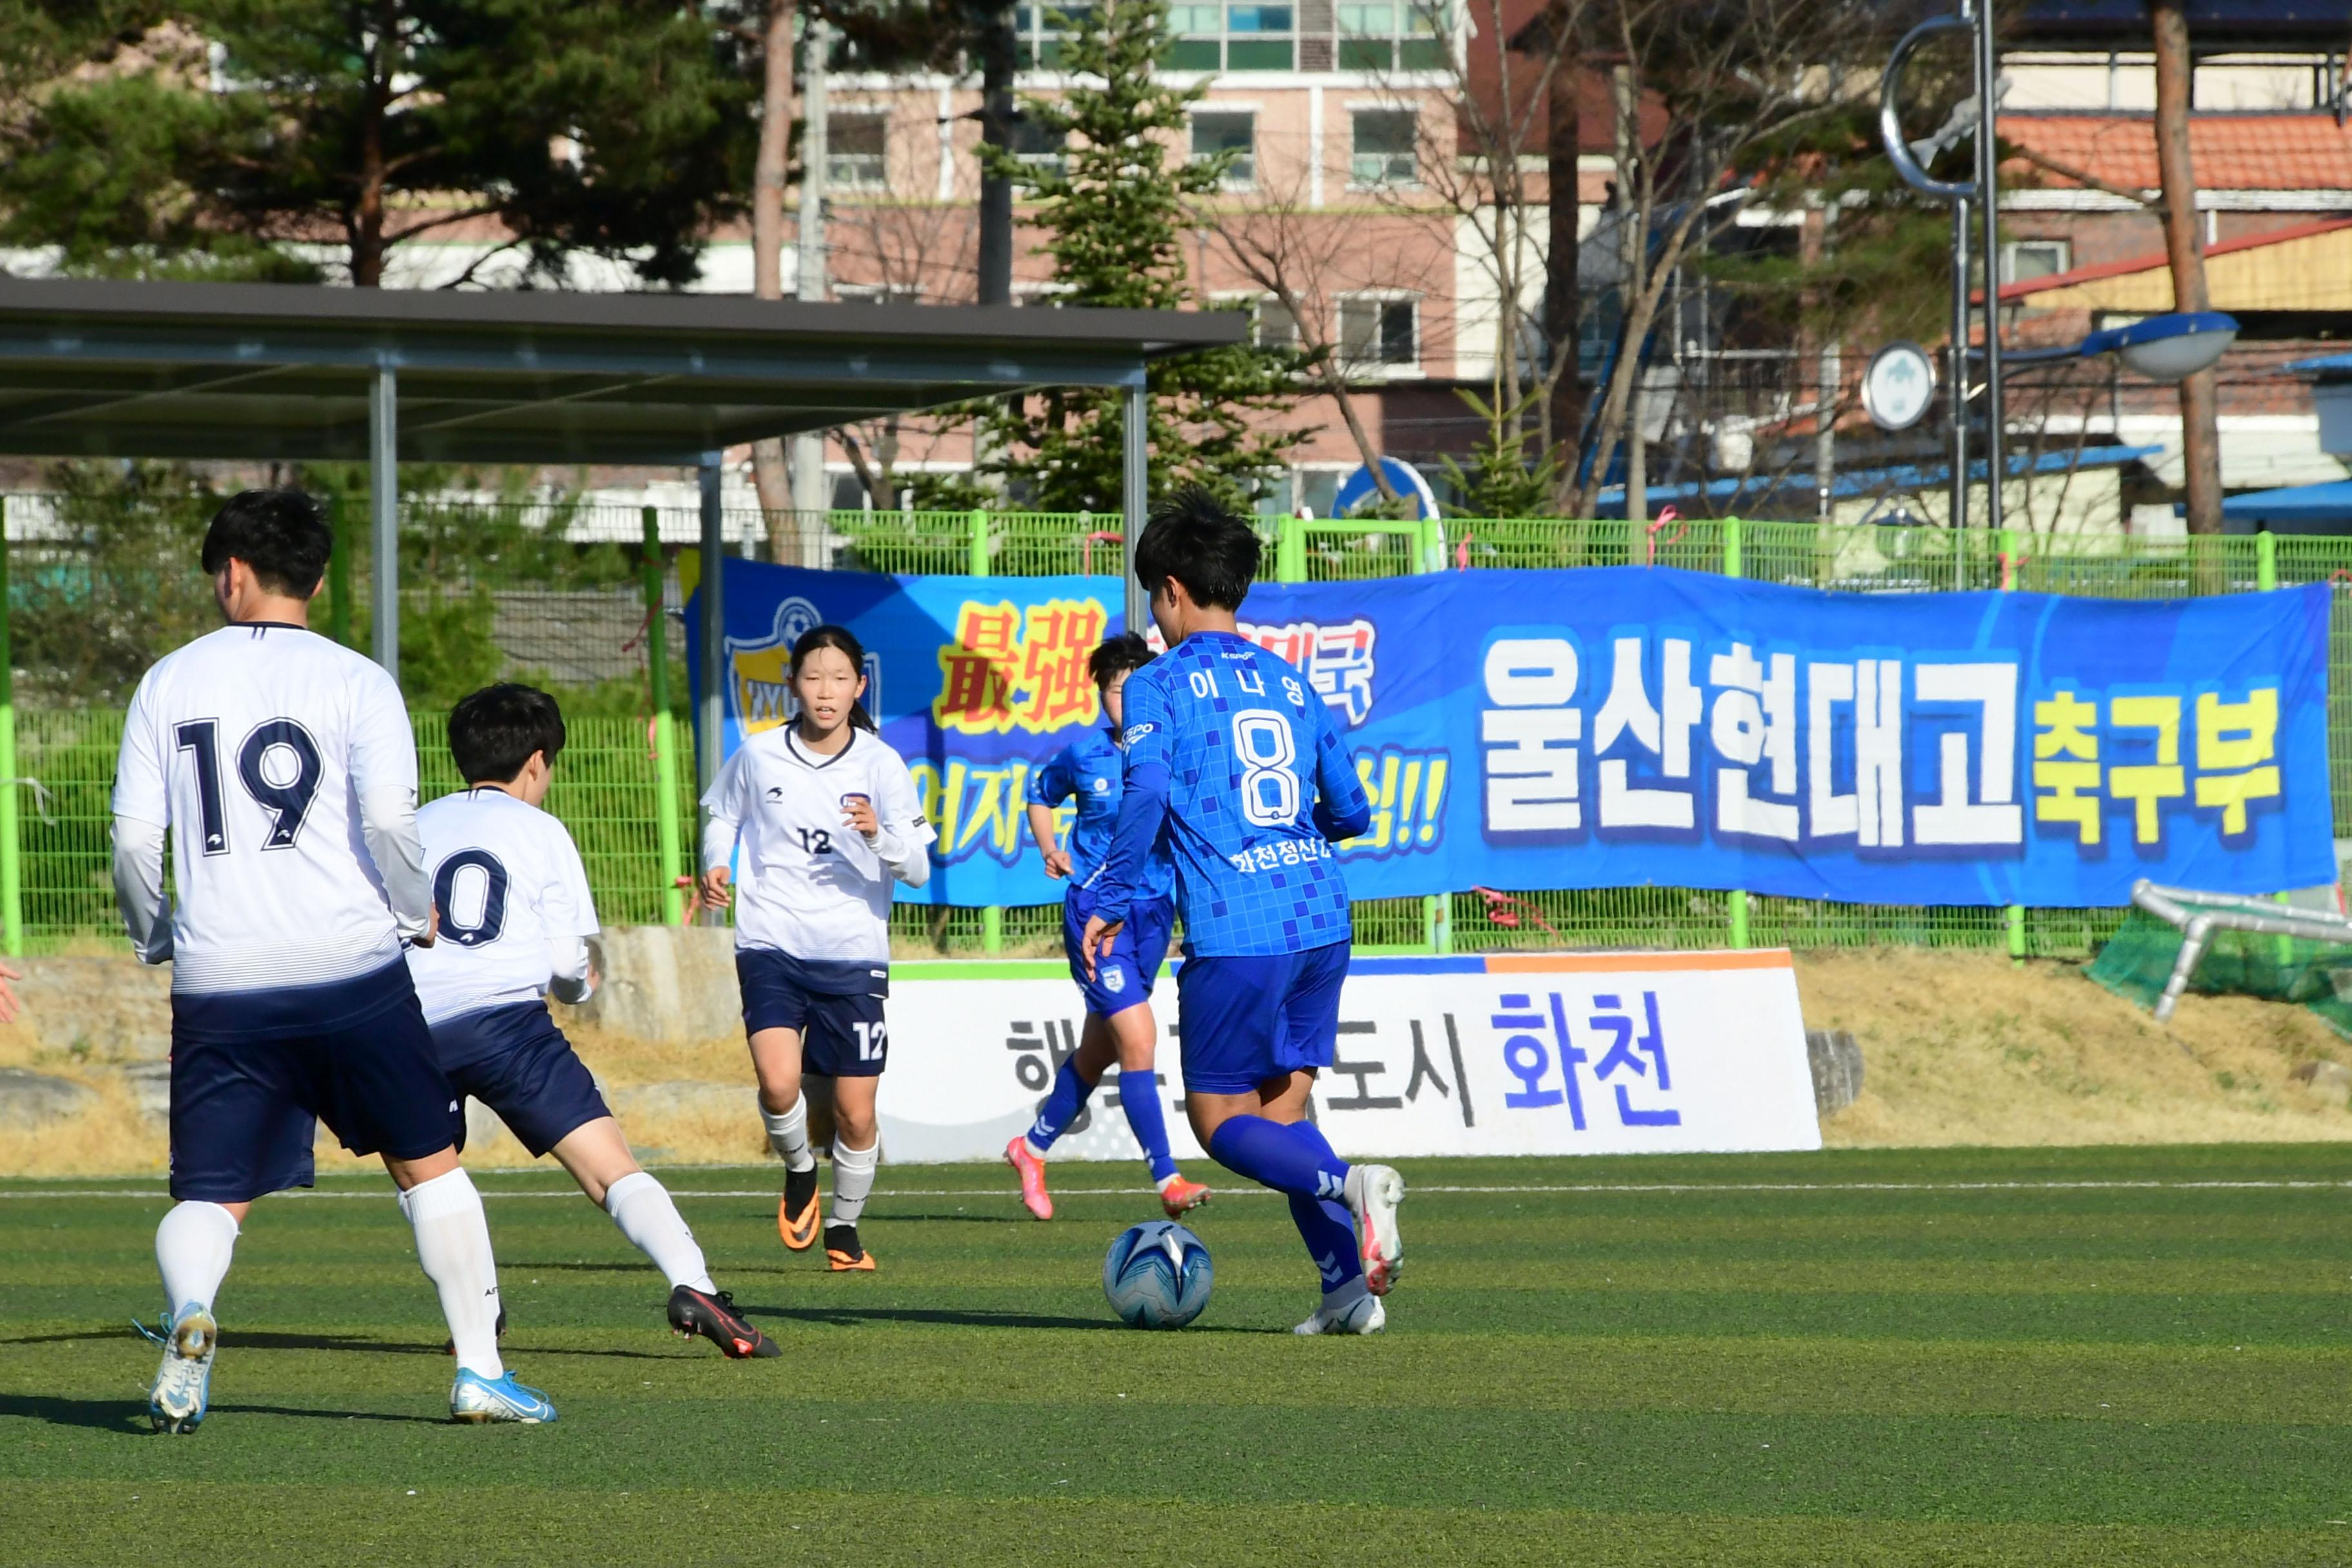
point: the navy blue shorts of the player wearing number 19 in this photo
(253, 1073)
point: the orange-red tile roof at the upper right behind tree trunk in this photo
(2229, 152)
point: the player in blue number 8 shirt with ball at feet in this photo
(1238, 760)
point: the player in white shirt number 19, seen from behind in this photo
(283, 772)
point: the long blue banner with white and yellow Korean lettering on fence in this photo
(1626, 728)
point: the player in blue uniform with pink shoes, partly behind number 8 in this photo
(1121, 986)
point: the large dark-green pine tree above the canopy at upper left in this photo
(250, 126)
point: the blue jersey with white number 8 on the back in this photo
(1231, 749)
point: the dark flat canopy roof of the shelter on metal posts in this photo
(206, 370)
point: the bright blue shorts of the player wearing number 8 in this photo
(1250, 1019)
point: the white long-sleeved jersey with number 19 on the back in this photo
(255, 746)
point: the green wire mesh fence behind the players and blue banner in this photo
(556, 594)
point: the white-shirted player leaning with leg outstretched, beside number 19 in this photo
(516, 918)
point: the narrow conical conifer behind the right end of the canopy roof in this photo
(1116, 208)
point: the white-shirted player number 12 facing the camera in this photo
(827, 822)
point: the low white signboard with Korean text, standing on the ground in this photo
(1539, 1054)
